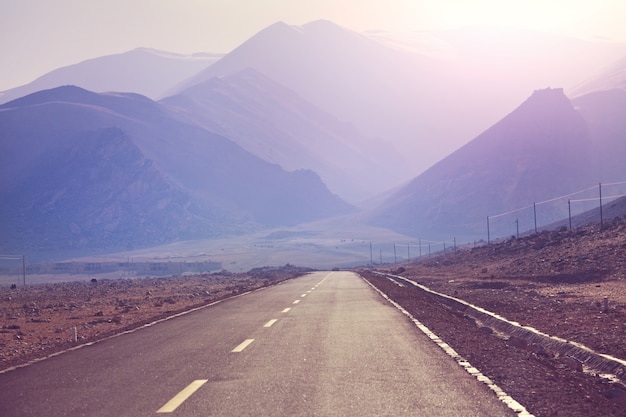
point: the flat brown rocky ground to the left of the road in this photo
(38, 320)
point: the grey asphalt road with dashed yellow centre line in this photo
(325, 344)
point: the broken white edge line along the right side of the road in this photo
(502, 396)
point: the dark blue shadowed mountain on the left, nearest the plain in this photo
(87, 171)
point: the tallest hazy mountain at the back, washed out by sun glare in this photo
(427, 100)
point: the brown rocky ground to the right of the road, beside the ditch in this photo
(555, 282)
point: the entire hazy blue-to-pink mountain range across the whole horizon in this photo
(295, 120)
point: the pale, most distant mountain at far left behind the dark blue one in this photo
(144, 71)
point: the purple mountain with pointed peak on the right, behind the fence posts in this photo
(543, 149)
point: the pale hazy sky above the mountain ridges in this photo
(37, 36)
